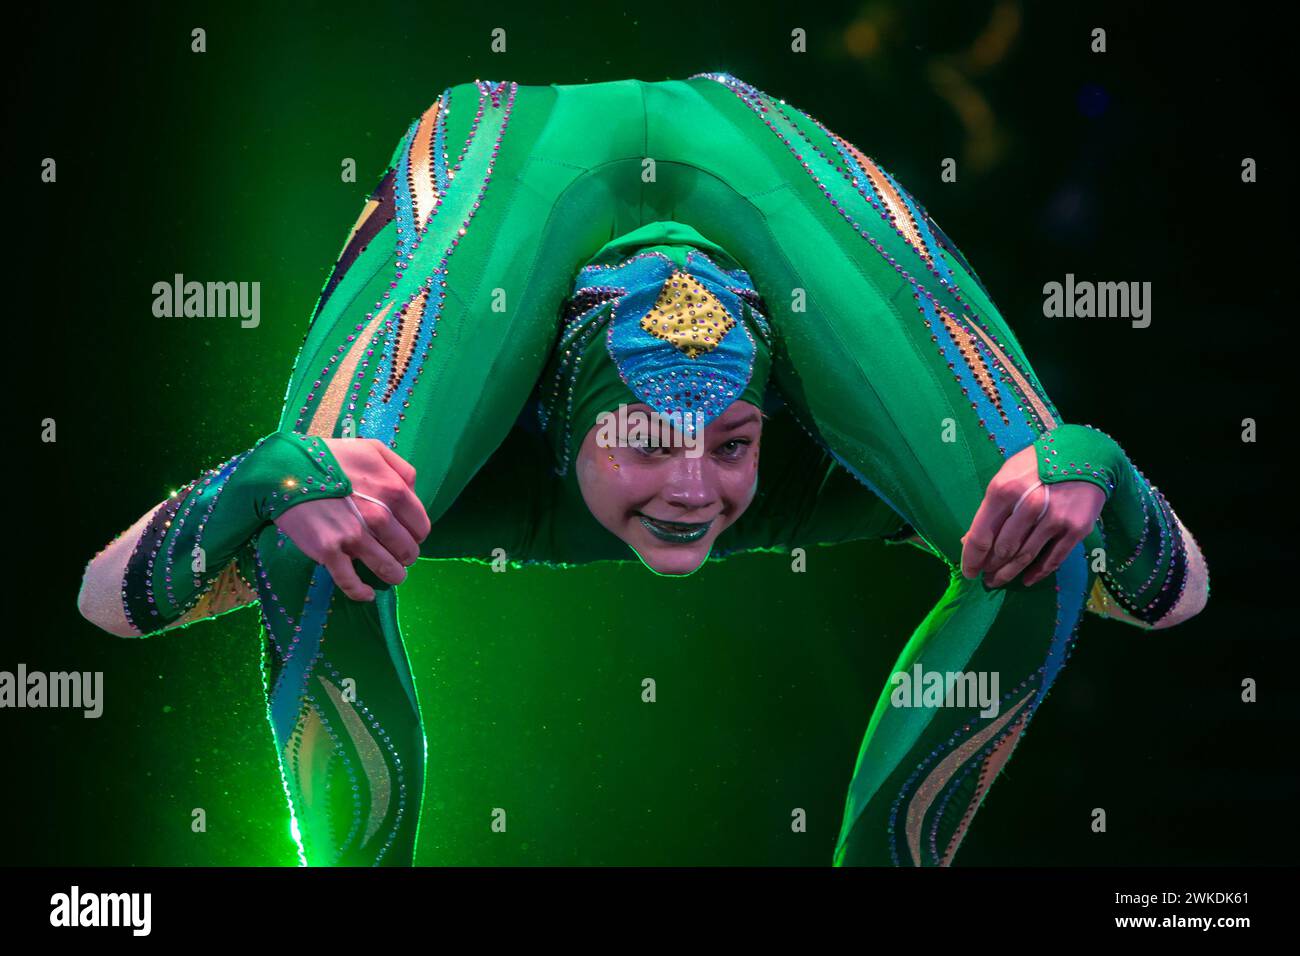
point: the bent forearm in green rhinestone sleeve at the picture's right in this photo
(1151, 570)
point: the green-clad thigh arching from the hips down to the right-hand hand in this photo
(887, 347)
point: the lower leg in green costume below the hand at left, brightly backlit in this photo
(344, 712)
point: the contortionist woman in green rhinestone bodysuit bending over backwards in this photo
(694, 253)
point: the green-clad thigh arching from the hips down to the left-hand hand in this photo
(445, 304)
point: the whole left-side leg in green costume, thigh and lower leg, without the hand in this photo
(430, 338)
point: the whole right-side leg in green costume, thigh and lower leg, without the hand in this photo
(895, 360)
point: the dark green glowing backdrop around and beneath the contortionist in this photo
(226, 166)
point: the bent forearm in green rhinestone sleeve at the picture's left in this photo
(177, 564)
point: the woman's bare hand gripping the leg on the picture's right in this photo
(1002, 544)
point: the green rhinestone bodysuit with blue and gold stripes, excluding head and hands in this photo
(896, 395)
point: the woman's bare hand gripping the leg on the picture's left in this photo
(328, 531)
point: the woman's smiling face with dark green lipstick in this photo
(670, 504)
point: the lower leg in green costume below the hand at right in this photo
(925, 771)
